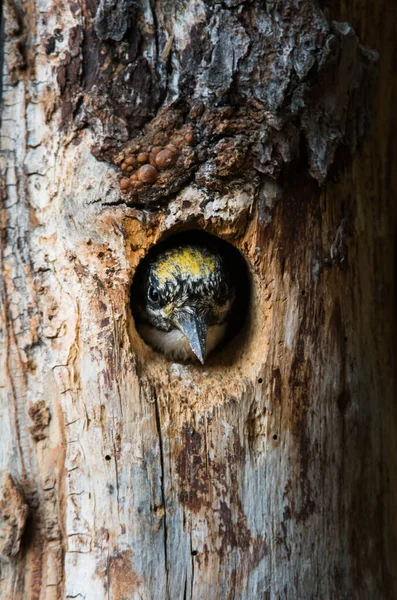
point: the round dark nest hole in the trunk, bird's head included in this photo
(190, 297)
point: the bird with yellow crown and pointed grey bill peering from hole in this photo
(184, 301)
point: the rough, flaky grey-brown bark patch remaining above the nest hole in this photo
(241, 90)
